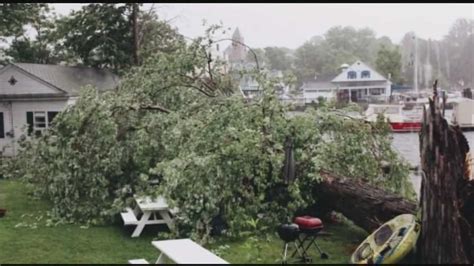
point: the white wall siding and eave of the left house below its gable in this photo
(18, 113)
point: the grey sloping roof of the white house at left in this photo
(71, 79)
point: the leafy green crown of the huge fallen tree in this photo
(213, 154)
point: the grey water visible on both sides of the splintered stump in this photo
(408, 146)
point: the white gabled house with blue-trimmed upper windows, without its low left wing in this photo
(359, 82)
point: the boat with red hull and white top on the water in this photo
(400, 120)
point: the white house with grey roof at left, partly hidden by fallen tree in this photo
(32, 94)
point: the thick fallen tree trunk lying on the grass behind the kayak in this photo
(366, 205)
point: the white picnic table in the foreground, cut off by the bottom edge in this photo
(182, 251)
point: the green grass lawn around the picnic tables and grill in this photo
(25, 238)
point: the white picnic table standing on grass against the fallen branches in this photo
(153, 210)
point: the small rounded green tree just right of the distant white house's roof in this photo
(389, 62)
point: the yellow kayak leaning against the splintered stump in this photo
(390, 243)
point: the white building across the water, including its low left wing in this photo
(355, 83)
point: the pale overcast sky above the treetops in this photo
(290, 25)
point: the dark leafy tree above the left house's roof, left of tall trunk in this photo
(98, 35)
